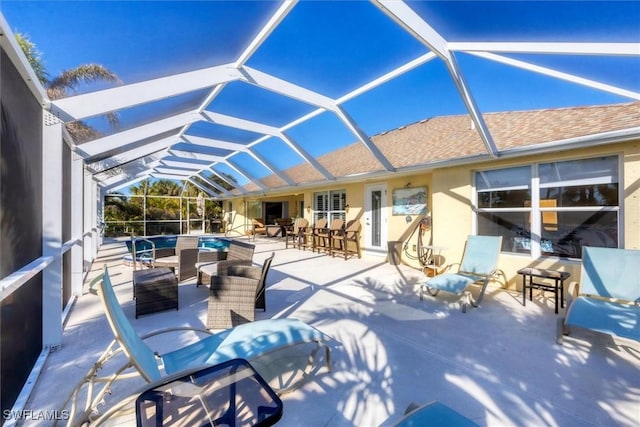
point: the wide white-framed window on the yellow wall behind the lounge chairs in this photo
(551, 208)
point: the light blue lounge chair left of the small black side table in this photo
(479, 264)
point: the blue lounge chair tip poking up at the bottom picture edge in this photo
(433, 414)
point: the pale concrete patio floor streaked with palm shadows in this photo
(498, 365)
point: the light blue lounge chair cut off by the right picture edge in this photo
(608, 296)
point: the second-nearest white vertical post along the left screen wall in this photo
(77, 219)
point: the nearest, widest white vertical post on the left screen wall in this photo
(52, 231)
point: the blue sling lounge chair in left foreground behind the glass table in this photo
(249, 341)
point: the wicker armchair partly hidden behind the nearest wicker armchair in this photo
(212, 263)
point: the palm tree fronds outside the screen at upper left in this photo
(67, 82)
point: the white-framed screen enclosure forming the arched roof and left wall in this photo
(243, 99)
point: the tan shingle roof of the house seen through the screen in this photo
(453, 137)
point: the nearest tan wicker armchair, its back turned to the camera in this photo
(233, 298)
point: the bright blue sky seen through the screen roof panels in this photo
(332, 49)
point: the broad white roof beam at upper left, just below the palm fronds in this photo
(108, 100)
